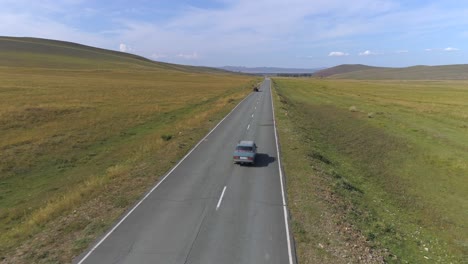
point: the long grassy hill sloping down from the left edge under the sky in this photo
(45, 53)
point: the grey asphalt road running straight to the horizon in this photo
(207, 209)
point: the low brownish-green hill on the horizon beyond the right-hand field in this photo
(363, 72)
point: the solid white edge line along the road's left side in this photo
(156, 186)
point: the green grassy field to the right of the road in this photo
(386, 160)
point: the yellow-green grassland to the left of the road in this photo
(84, 136)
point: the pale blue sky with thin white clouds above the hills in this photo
(254, 33)
